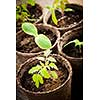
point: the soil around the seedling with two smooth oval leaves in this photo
(26, 42)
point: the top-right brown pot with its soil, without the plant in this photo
(67, 21)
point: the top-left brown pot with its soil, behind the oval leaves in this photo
(36, 10)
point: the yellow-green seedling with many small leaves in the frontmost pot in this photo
(46, 69)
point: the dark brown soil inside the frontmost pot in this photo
(49, 84)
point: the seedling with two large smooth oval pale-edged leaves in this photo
(40, 39)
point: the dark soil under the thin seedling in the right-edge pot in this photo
(73, 51)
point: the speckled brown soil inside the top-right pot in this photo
(69, 18)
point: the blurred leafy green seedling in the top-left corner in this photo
(22, 13)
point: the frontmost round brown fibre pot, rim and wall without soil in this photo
(62, 92)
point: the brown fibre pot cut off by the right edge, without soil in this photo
(76, 62)
